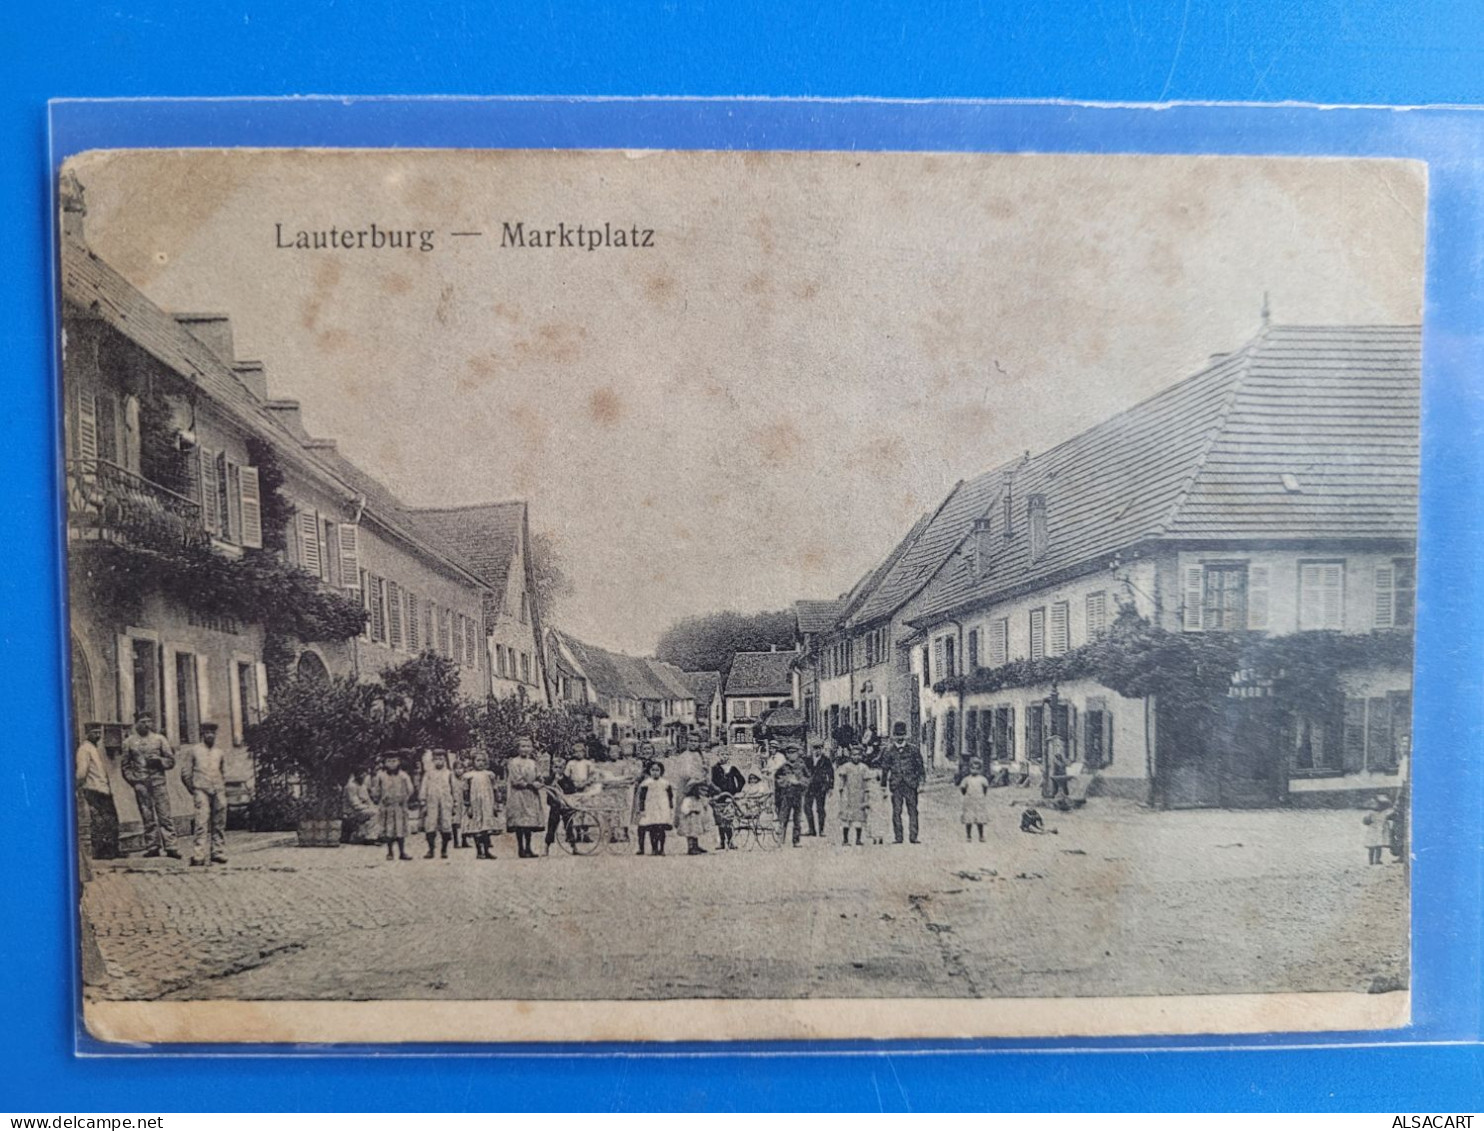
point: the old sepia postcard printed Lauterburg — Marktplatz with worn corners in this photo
(683, 596)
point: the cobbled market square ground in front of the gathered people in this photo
(1121, 902)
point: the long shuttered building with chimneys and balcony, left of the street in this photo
(176, 446)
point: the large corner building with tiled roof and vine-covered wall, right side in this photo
(1271, 494)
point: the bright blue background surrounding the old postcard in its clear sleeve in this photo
(1324, 53)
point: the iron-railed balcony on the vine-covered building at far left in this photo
(109, 504)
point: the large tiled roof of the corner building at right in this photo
(1333, 409)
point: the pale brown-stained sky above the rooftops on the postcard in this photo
(815, 350)
